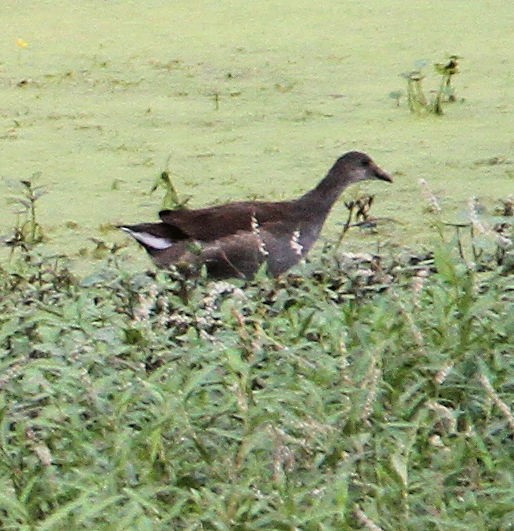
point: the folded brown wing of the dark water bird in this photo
(207, 224)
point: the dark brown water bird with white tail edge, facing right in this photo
(235, 239)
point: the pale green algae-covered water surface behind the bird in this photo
(247, 100)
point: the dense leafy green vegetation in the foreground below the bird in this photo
(375, 395)
